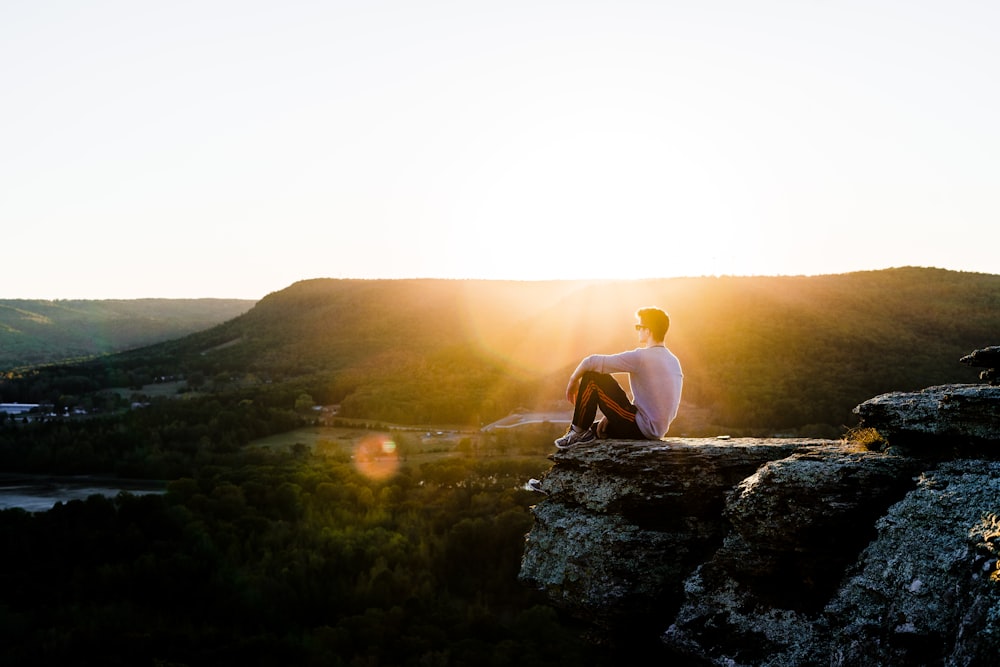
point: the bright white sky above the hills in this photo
(227, 149)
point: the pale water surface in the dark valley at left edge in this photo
(39, 493)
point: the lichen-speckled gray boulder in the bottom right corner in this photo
(927, 590)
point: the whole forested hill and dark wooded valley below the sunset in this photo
(300, 555)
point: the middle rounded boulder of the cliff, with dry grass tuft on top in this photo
(798, 523)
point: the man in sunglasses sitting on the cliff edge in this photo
(655, 379)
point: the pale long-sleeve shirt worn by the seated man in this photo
(655, 379)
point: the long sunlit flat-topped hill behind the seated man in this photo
(760, 354)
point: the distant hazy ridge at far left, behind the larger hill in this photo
(36, 332)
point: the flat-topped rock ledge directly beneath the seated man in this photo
(626, 521)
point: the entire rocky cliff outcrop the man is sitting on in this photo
(783, 551)
